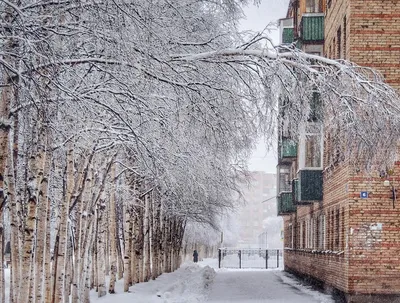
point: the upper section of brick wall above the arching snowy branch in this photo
(372, 34)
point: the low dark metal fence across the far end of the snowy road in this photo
(249, 258)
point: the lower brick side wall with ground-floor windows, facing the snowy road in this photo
(331, 263)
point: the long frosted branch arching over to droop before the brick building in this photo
(356, 104)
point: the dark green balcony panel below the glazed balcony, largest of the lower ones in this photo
(310, 186)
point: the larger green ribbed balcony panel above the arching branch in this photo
(312, 28)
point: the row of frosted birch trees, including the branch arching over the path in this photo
(123, 121)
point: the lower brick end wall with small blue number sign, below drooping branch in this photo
(374, 235)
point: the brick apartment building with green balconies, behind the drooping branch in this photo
(342, 227)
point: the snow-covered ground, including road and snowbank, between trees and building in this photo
(204, 282)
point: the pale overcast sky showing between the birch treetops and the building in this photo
(257, 18)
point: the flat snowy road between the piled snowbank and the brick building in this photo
(261, 286)
